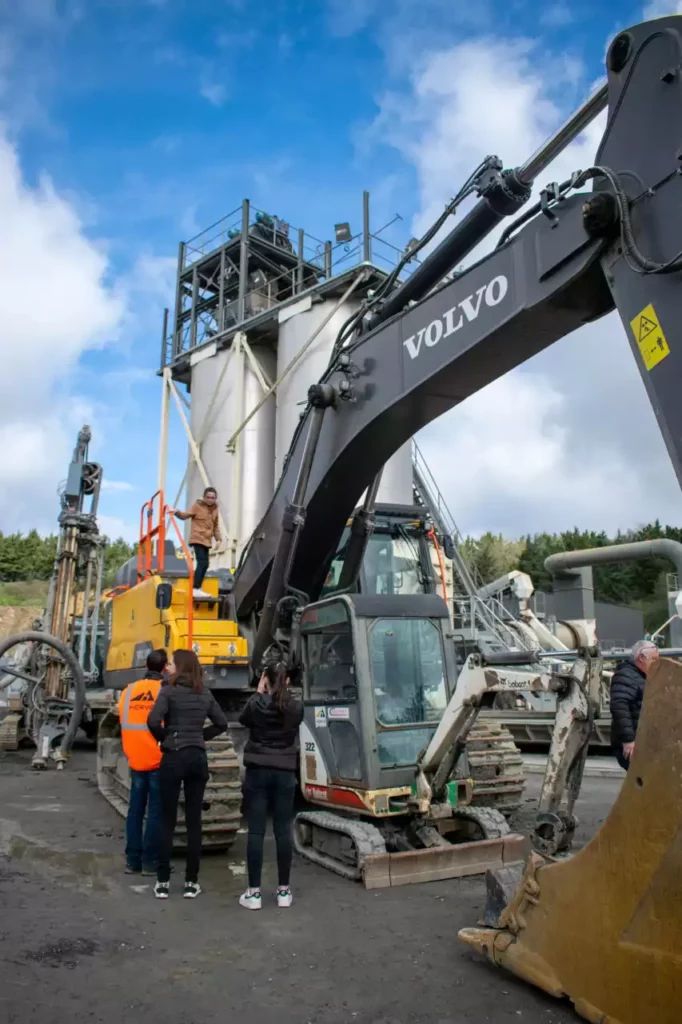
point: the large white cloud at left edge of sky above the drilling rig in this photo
(55, 306)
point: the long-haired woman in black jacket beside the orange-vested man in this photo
(178, 722)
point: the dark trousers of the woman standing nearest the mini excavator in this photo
(269, 790)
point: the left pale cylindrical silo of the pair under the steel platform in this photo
(251, 470)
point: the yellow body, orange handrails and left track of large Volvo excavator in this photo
(152, 608)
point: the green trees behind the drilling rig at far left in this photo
(28, 558)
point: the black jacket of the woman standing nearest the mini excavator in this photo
(273, 735)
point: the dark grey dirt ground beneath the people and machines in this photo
(81, 942)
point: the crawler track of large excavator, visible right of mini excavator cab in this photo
(496, 766)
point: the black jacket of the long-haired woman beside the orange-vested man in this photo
(179, 716)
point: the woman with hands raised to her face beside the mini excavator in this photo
(273, 717)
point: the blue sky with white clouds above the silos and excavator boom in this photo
(127, 125)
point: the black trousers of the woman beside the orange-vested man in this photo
(188, 769)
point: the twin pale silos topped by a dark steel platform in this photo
(251, 294)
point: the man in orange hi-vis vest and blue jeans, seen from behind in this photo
(144, 757)
